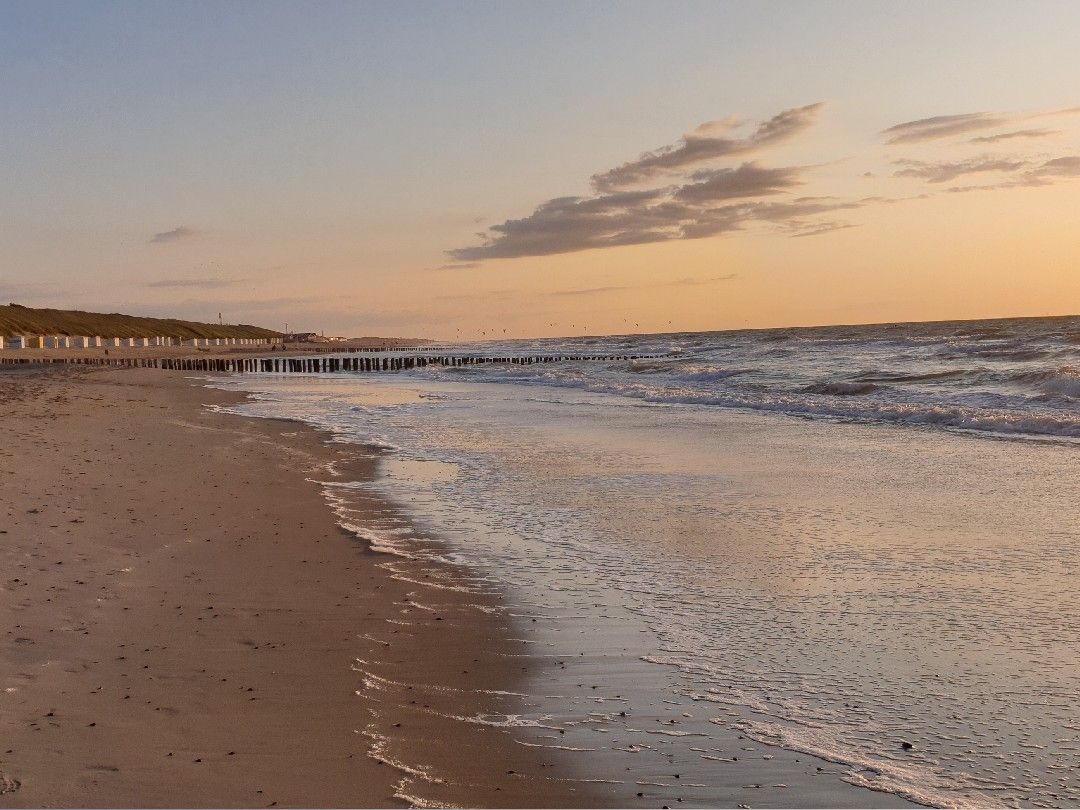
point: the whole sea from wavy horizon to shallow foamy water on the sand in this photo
(848, 555)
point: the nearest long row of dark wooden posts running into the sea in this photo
(313, 364)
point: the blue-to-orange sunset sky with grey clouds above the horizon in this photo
(464, 171)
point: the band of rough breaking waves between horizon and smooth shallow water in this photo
(1016, 377)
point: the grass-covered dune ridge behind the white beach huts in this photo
(19, 320)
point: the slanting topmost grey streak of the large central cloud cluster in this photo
(706, 144)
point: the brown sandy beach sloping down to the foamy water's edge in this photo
(185, 624)
